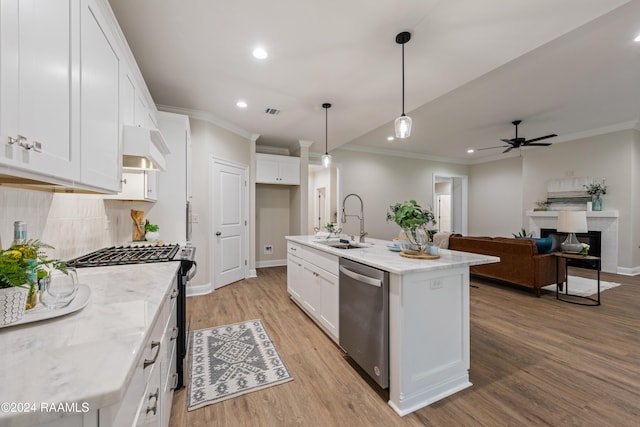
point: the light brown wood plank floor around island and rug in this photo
(534, 361)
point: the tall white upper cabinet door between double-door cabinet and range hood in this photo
(100, 121)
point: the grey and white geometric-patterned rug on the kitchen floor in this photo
(232, 360)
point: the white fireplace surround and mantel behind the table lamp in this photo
(604, 221)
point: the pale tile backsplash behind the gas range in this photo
(74, 224)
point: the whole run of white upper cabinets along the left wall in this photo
(68, 83)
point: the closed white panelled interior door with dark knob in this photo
(229, 224)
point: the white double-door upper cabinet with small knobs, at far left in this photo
(38, 67)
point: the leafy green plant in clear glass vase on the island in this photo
(414, 221)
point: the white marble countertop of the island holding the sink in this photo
(376, 254)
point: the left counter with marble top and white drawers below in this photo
(82, 369)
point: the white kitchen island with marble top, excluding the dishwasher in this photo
(428, 313)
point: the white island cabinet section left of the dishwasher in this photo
(312, 282)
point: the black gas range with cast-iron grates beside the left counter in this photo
(122, 255)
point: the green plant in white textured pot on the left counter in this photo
(20, 267)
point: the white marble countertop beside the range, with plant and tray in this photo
(86, 357)
